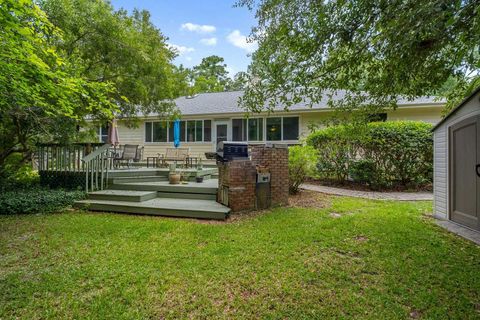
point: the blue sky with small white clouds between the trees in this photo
(201, 28)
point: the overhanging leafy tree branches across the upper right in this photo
(383, 48)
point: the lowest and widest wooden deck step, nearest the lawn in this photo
(191, 208)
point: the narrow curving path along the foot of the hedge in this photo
(399, 196)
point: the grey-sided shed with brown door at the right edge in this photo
(456, 179)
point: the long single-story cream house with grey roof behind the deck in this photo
(212, 117)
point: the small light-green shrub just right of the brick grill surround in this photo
(301, 164)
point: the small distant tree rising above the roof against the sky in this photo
(210, 75)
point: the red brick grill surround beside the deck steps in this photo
(238, 178)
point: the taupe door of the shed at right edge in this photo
(464, 178)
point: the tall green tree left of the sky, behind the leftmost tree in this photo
(127, 51)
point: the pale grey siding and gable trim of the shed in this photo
(440, 160)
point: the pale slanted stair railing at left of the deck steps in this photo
(96, 165)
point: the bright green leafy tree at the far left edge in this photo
(39, 87)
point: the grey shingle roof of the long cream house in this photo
(227, 102)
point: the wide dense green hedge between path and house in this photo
(380, 154)
